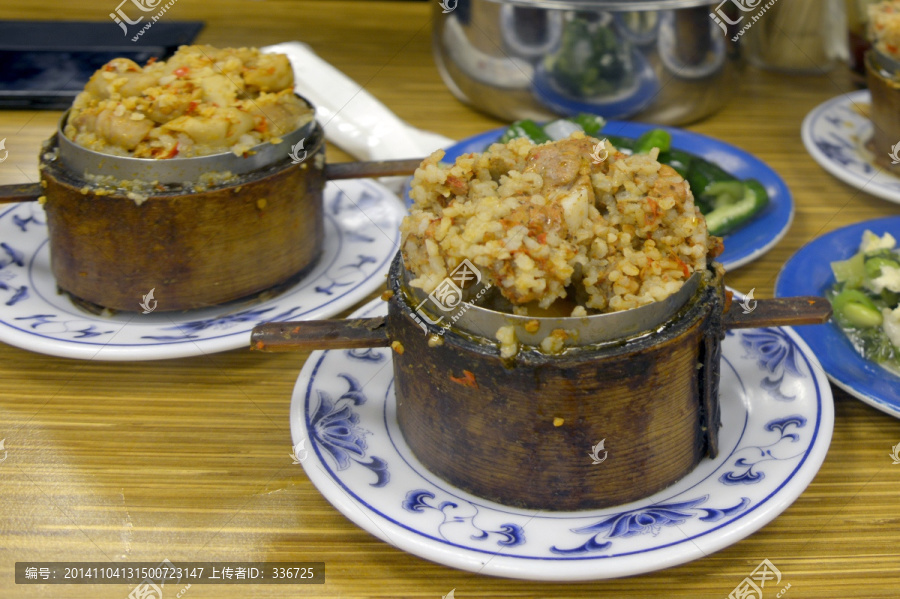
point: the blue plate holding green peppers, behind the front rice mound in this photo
(744, 245)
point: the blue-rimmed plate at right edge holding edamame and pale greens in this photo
(808, 272)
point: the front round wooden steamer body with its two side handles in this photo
(521, 431)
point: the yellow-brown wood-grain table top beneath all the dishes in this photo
(188, 459)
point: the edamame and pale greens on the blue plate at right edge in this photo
(866, 299)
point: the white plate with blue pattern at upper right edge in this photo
(835, 135)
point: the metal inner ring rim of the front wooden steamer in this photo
(465, 314)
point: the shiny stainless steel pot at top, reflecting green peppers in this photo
(662, 61)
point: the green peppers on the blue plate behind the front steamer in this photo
(727, 202)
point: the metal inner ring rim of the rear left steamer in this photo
(82, 161)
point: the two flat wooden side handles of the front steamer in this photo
(355, 333)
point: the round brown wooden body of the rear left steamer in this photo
(195, 247)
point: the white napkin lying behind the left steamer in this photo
(353, 119)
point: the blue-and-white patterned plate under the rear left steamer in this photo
(362, 221)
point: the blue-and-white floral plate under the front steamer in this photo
(777, 420)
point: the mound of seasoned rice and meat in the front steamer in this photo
(545, 222)
